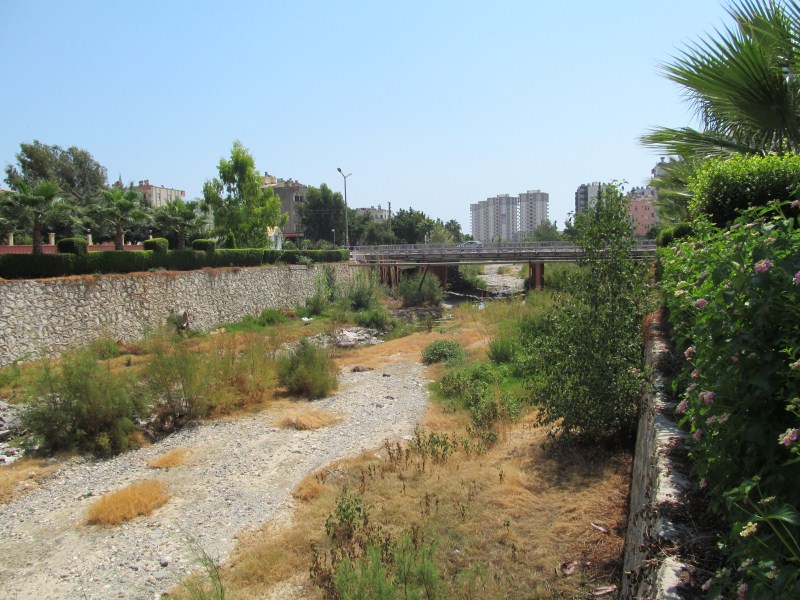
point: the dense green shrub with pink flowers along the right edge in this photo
(734, 302)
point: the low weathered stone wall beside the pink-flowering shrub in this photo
(650, 567)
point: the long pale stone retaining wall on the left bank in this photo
(51, 315)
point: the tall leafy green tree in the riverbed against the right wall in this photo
(584, 358)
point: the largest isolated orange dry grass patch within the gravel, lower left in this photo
(136, 500)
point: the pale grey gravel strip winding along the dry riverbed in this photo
(240, 474)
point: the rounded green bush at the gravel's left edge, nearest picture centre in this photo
(308, 371)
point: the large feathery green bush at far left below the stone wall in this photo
(82, 404)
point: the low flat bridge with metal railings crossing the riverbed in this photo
(437, 257)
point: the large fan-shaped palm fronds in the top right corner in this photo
(744, 85)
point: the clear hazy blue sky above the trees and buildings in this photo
(430, 104)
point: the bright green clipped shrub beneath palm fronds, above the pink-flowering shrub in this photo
(723, 187)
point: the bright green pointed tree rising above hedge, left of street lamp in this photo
(243, 211)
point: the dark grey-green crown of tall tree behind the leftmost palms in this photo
(77, 174)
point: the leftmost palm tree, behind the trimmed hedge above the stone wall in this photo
(31, 207)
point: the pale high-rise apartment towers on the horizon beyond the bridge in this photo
(506, 217)
